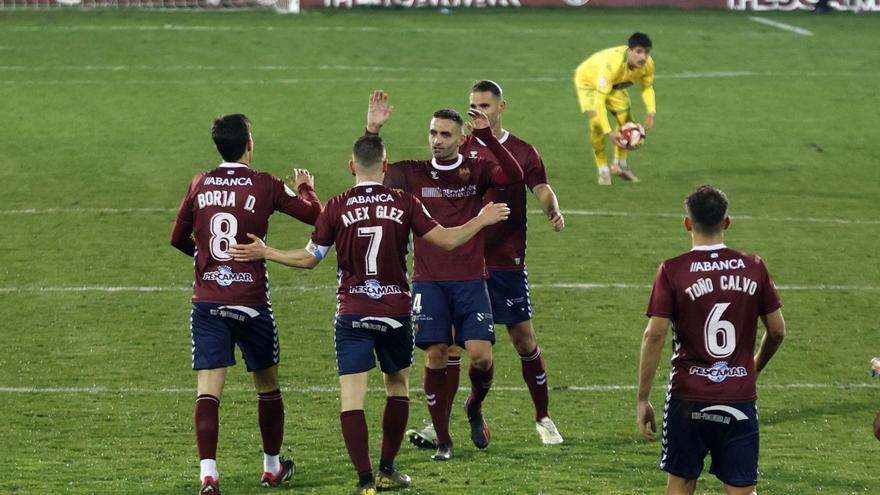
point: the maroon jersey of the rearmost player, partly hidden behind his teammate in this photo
(506, 241)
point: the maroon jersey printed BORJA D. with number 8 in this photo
(221, 207)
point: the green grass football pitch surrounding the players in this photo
(106, 117)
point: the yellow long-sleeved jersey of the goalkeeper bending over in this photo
(607, 70)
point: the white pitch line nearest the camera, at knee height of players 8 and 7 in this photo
(333, 390)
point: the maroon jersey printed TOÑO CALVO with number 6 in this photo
(714, 297)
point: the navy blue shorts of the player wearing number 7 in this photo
(358, 337)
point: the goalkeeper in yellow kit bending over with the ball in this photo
(601, 83)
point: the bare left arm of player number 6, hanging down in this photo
(649, 358)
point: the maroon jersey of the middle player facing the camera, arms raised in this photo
(453, 194)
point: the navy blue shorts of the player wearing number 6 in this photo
(729, 432)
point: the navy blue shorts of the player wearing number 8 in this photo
(217, 328)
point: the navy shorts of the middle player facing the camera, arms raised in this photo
(438, 305)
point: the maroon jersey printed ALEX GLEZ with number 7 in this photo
(370, 226)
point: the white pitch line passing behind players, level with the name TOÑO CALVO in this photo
(575, 285)
